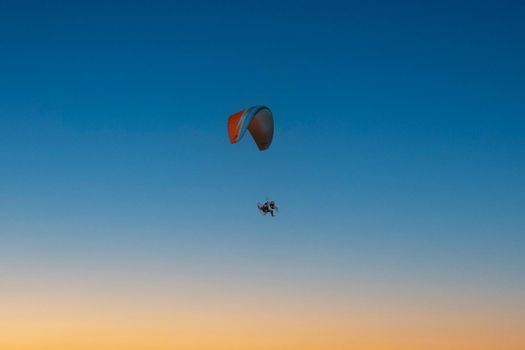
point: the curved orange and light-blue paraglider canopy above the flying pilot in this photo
(258, 120)
